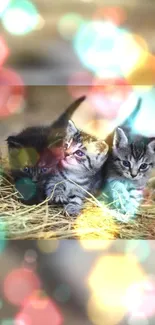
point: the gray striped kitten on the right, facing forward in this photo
(128, 167)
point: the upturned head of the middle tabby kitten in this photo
(83, 153)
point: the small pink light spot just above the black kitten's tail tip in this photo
(79, 84)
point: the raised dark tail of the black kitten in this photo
(62, 121)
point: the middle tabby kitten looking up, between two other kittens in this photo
(79, 171)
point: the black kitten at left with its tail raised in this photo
(34, 154)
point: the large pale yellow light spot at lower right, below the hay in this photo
(109, 280)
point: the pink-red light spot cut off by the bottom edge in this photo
(40, 310)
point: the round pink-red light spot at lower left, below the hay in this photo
(19, 284)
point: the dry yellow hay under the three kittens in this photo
(18, 221)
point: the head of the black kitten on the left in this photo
(31, 155)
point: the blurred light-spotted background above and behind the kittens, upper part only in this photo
(52, 52)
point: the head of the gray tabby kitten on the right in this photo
(132, 160)
